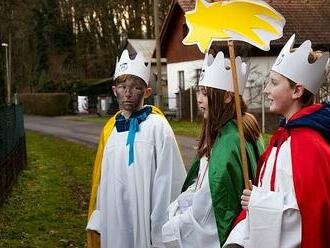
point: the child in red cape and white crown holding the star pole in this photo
(289, 206)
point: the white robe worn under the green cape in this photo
(191, 221)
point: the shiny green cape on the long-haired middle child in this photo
(226, 176)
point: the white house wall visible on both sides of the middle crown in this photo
(260, 67)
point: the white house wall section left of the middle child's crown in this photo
(189, 71)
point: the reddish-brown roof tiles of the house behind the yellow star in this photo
(307, 19)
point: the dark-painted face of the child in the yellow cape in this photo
(130, 94)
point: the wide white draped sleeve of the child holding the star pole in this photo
(272, 221)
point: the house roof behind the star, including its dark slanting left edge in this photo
(307, 19)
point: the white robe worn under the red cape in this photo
(287, 231)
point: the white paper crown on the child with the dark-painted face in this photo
(134, 67)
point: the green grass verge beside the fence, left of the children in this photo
(48, 205)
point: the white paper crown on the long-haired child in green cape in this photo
(216, 73)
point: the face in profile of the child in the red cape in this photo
(280, 94)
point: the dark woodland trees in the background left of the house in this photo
(58, 41)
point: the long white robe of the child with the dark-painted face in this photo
(132, 201)
